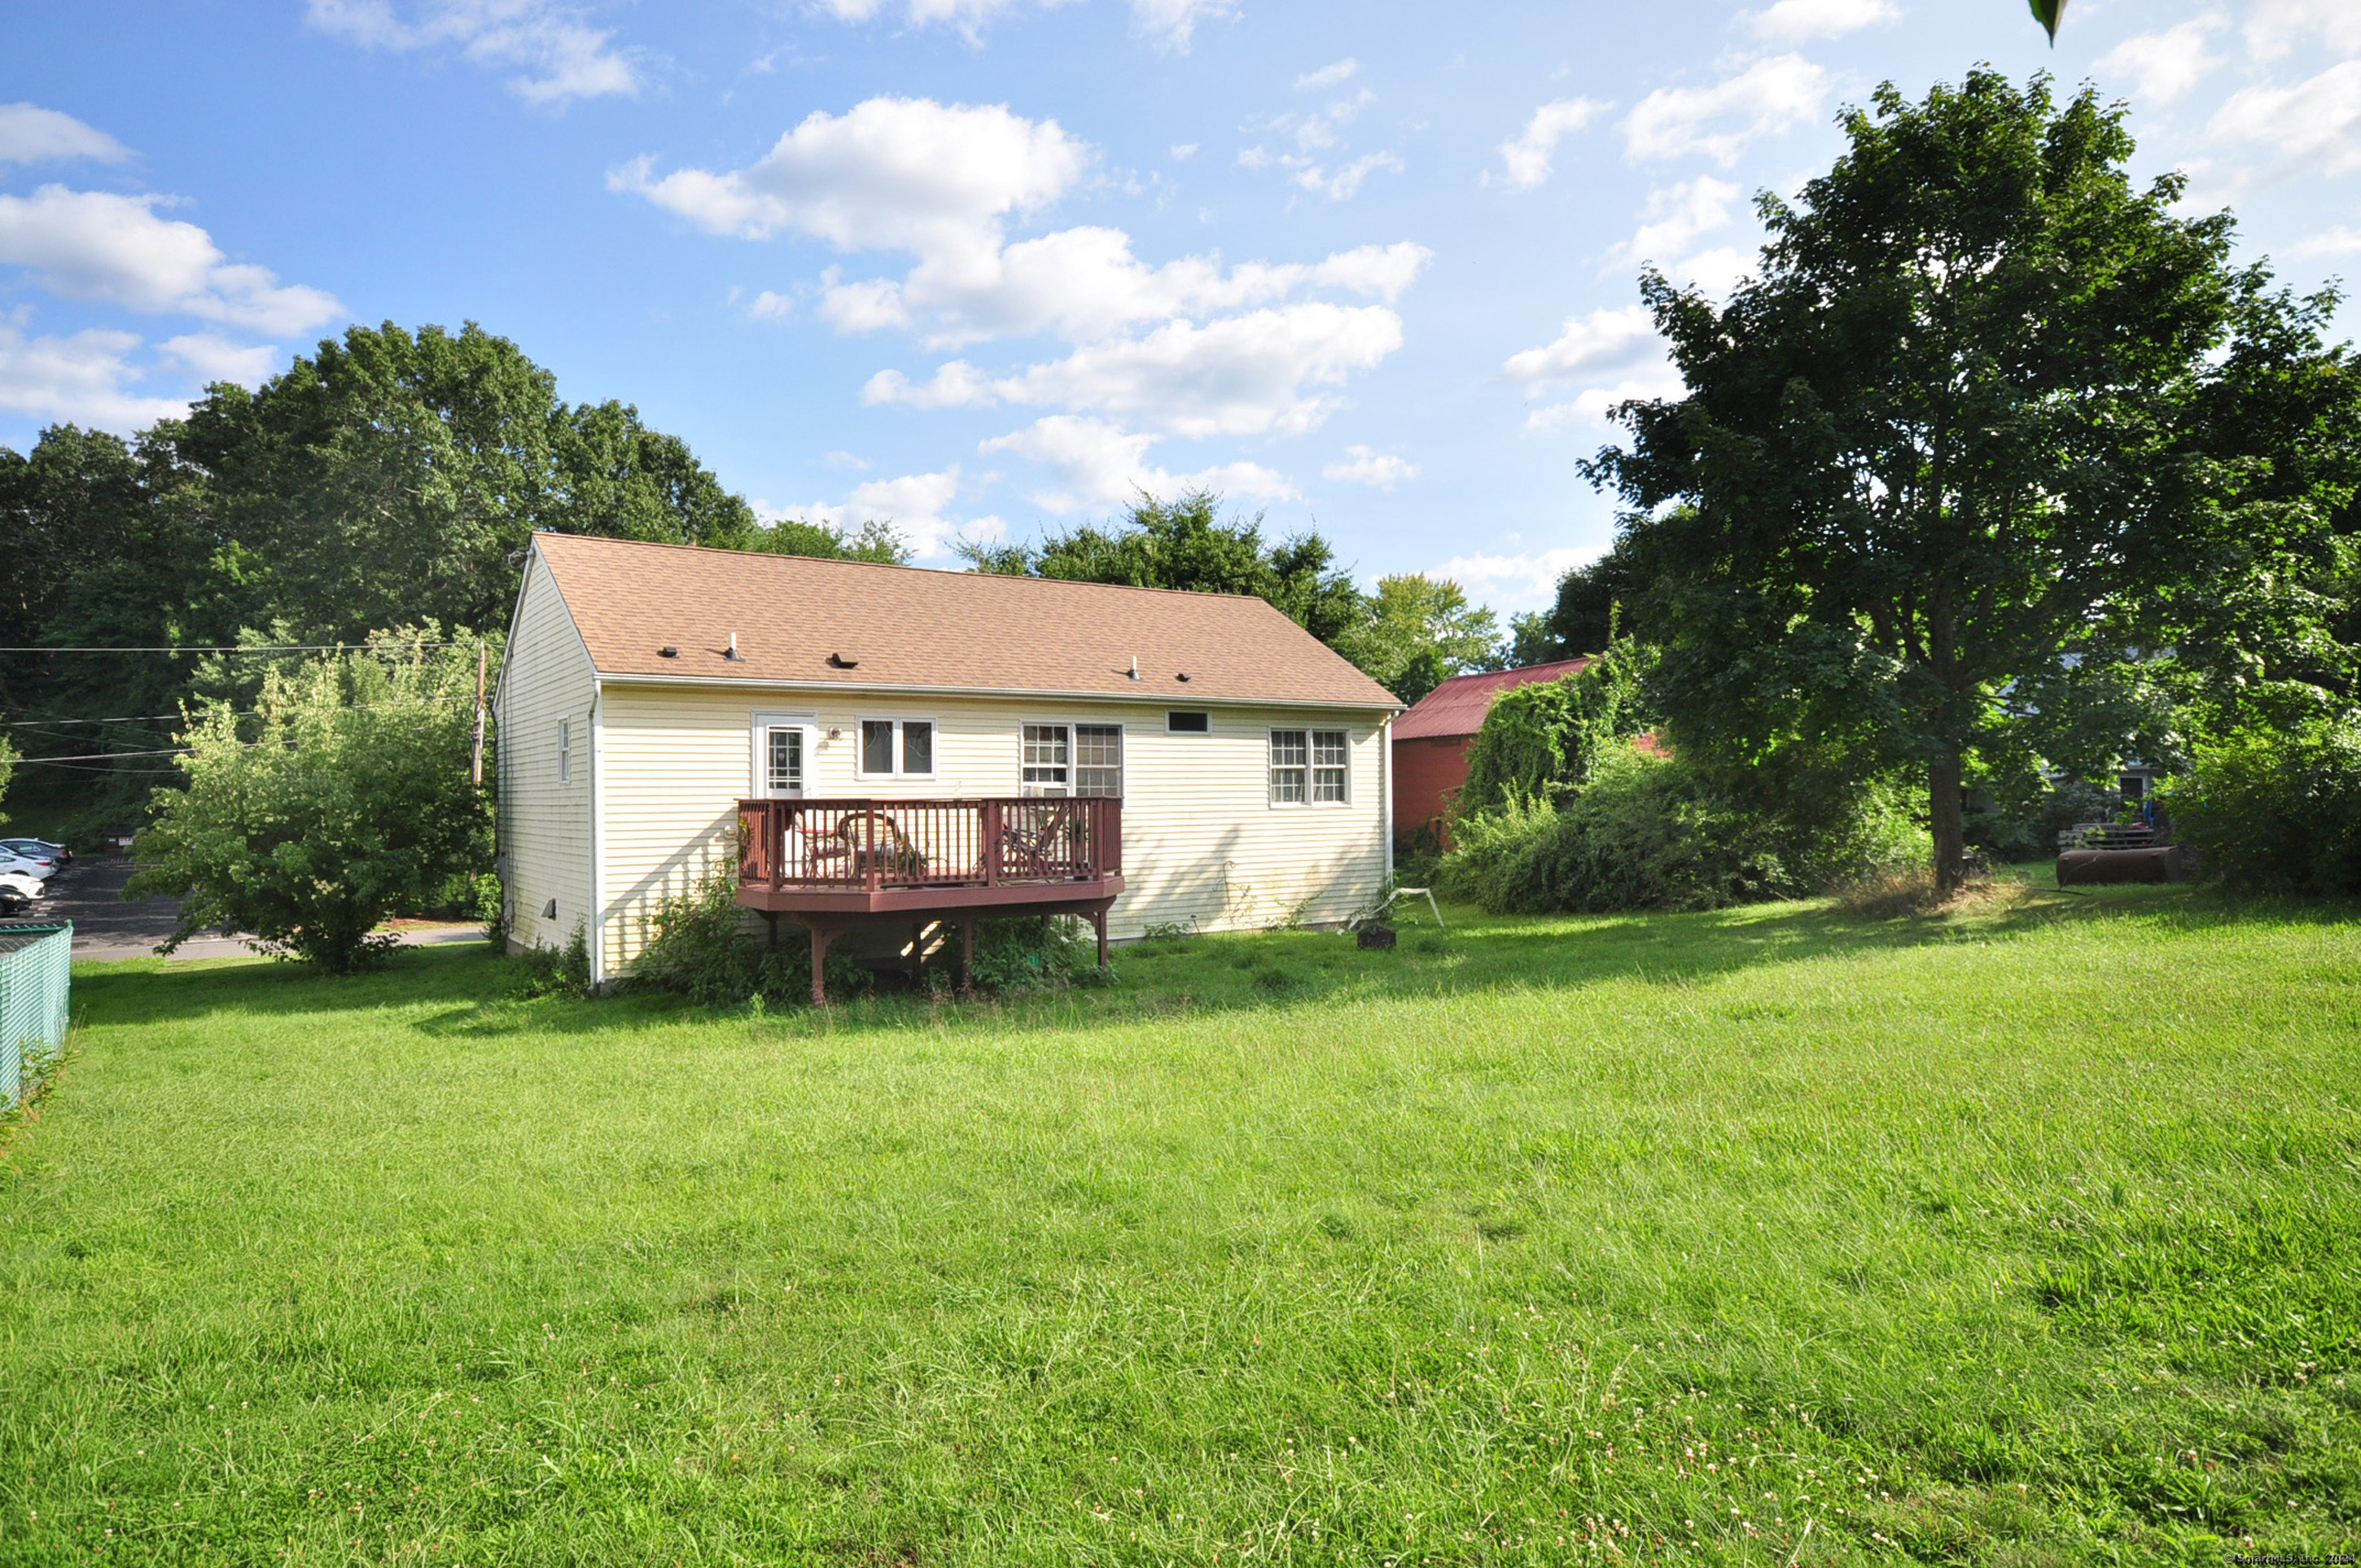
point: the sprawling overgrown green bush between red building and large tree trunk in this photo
(1652, 832)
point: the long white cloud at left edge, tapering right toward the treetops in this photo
(117, 249)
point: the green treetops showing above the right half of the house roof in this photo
(1186, 544)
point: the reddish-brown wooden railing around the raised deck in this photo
(929, 844)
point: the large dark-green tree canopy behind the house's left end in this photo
(384, 481)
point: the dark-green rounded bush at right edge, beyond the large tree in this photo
(2277, 811)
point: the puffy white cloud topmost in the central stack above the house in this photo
(887, 176)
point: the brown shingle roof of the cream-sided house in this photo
(905, 627)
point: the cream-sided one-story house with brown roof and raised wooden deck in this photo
(903, 745)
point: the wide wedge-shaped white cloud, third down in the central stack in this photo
(1231, 377)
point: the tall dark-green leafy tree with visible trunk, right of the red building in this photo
(1989, 412)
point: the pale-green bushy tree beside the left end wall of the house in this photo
(344, 802)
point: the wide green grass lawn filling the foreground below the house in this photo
(1772, 1236)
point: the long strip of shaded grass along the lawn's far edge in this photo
(471, 993)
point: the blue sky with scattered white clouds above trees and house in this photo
(981, 268)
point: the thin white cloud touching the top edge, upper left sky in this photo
(556, 53)
